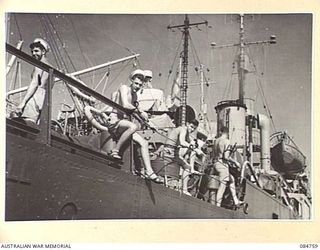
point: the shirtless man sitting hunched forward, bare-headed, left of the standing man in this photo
(175, 149)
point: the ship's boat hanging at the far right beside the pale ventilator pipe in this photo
(285, 155)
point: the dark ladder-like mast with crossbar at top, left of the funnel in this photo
(184, 84)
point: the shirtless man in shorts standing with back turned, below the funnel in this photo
(222, 156)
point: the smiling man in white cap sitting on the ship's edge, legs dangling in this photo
(122, 129)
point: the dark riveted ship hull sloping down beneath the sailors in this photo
(66, 181)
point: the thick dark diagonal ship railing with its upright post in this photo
(45, 118)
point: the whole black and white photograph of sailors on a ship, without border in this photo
(158, 116)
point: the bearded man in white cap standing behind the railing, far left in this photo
(31, 105)
